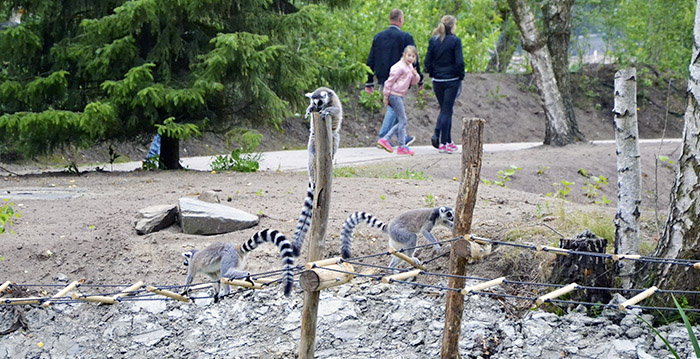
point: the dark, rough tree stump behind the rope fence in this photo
(582, 269)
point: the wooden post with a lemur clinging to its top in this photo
(319, 221)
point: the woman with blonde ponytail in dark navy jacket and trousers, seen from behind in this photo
(444, 62)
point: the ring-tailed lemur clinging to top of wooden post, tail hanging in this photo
(325, 101)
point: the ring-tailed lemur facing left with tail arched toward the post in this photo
(227, 260)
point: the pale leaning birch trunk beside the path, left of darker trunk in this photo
(559, 129)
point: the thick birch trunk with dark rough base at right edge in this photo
(681, 237)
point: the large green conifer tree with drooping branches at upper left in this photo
(79, 72)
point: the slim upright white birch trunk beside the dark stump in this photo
(629, 177)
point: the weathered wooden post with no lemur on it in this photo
(472, 148)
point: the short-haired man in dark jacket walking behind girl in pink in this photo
(387, 49)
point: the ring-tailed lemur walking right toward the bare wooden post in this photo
(403, 229)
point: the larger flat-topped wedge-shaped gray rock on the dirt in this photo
(199, 217)
